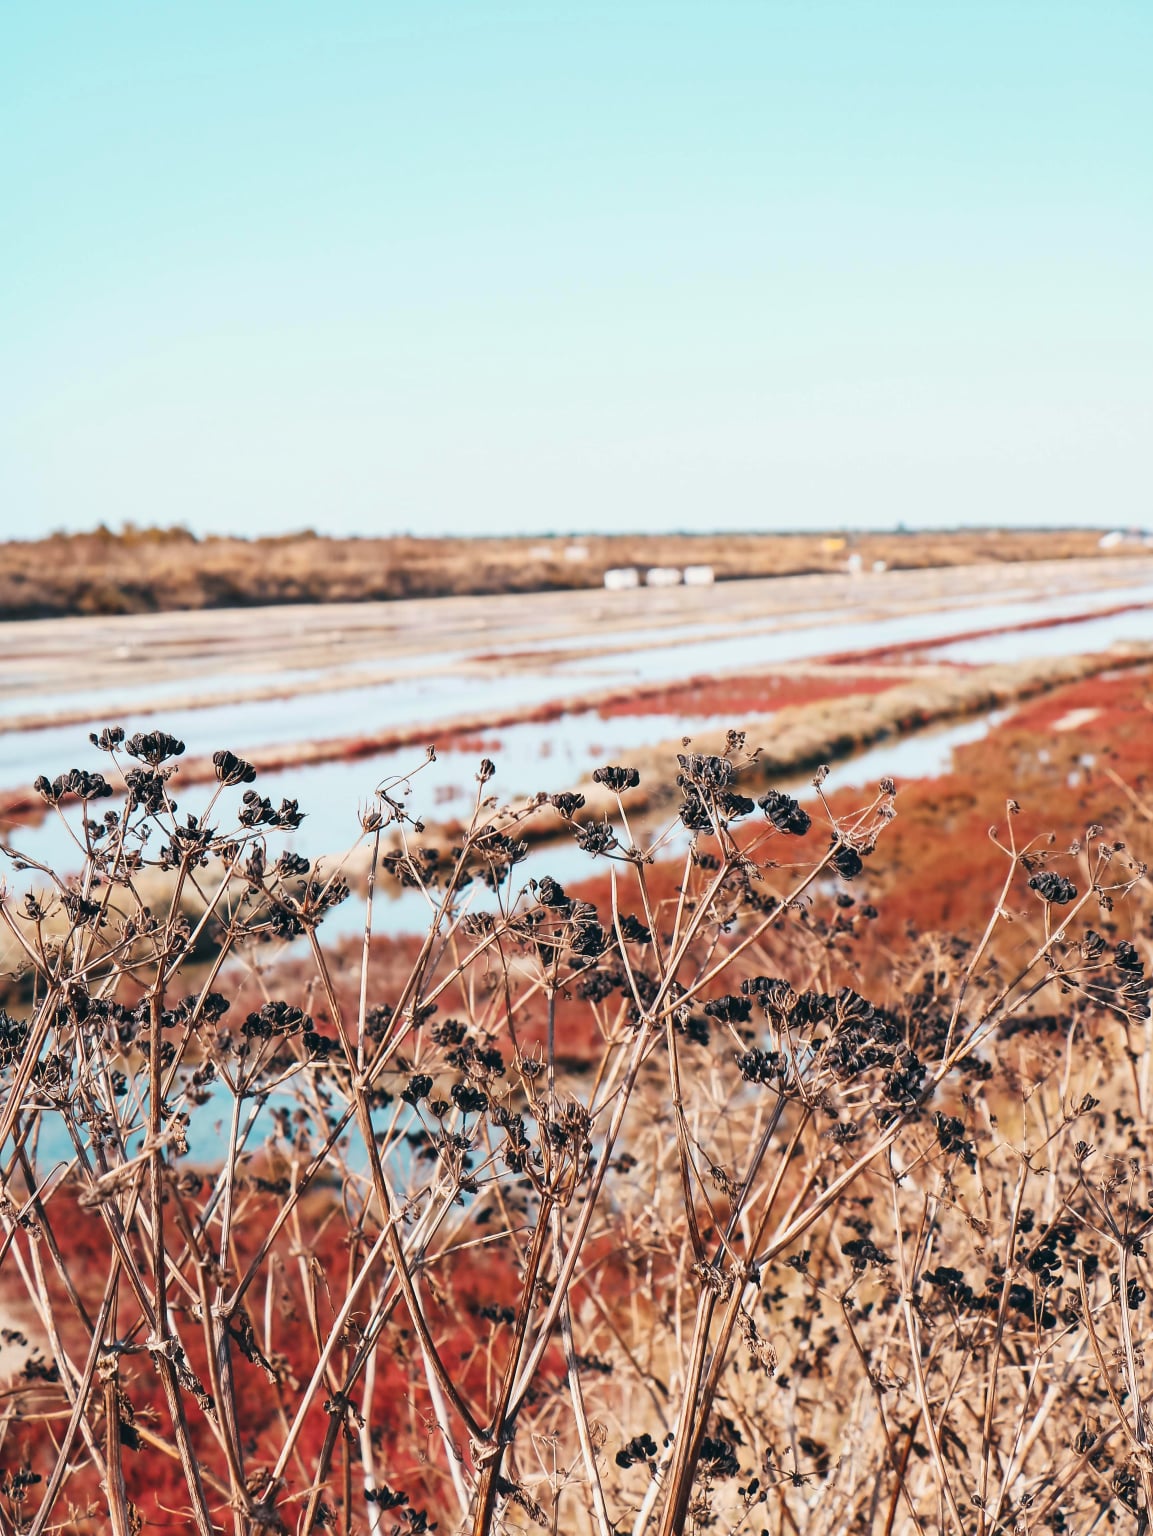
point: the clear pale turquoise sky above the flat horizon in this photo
(527, 266)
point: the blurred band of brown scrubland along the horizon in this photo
(145, 571)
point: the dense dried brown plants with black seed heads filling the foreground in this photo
(664, 1202)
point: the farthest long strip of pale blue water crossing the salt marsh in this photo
(478, 686)
